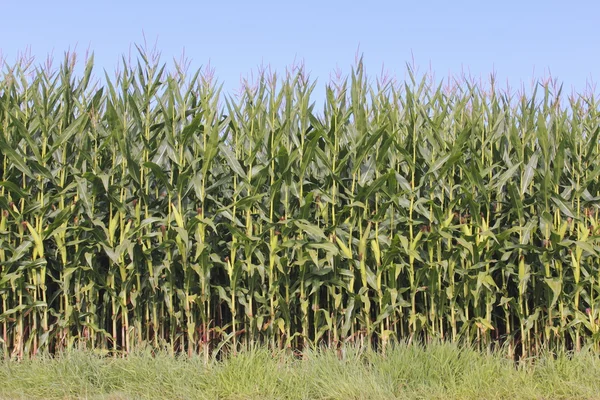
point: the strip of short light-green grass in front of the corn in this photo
(406, 372)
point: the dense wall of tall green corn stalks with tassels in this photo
(153, 210)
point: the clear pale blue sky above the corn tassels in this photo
(517, 39)
